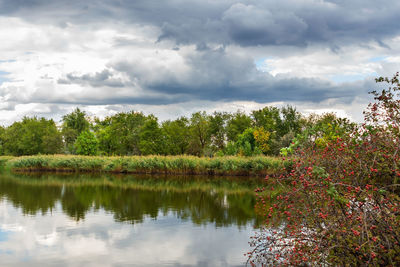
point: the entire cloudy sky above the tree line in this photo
(175, 57)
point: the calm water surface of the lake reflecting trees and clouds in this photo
(72, 220)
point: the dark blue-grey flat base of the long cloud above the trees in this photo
(267, 89)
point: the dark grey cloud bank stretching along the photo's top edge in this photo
(246, 23)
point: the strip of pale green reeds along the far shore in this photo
(149, 164)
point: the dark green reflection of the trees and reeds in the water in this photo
(203, 200)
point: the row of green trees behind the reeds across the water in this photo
(264, 131)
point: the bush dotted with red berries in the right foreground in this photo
(342, 200)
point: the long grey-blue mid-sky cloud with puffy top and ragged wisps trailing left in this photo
(217, 76)
